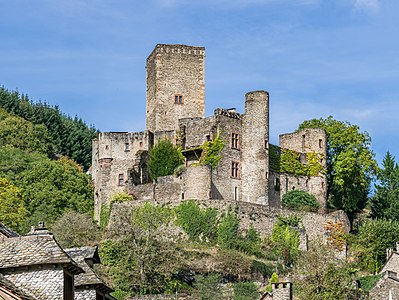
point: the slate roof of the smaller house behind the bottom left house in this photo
(89, 277)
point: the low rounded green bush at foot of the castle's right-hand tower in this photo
(300, 200)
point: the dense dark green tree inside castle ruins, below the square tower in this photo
(164, 158)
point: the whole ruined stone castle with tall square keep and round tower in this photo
(175, 109)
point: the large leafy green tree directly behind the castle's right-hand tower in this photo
(350, 163)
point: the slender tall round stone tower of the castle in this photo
(254, 154)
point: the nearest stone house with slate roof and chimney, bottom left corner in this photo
(37, 265)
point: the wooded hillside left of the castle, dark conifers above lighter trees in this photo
(43, 154)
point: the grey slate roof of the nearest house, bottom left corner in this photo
(32, 250)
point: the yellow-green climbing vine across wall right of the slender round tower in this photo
(289, 161)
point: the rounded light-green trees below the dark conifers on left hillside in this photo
(49, 187)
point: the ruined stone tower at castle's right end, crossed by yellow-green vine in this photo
(308, 140)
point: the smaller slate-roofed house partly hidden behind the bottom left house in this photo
(88, 286)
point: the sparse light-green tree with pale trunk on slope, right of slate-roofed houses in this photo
(144, 251)
